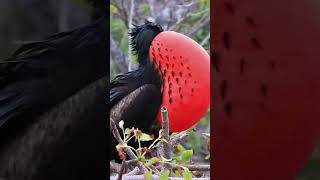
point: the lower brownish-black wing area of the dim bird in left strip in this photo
(66, 142)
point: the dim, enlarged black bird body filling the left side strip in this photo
(52, 110)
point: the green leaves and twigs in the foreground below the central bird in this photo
(180, 159)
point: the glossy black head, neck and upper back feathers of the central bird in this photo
(122, 85)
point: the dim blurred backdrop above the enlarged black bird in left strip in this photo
(31, 20)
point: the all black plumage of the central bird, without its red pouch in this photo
(135, 97)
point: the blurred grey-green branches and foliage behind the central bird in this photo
(189, 17)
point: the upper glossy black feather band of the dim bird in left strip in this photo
(42, 74)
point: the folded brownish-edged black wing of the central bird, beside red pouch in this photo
(137, 109)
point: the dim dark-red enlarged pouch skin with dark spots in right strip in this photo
(267, 125)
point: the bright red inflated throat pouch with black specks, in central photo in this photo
(184, 67)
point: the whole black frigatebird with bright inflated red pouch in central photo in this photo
(173, 72)
